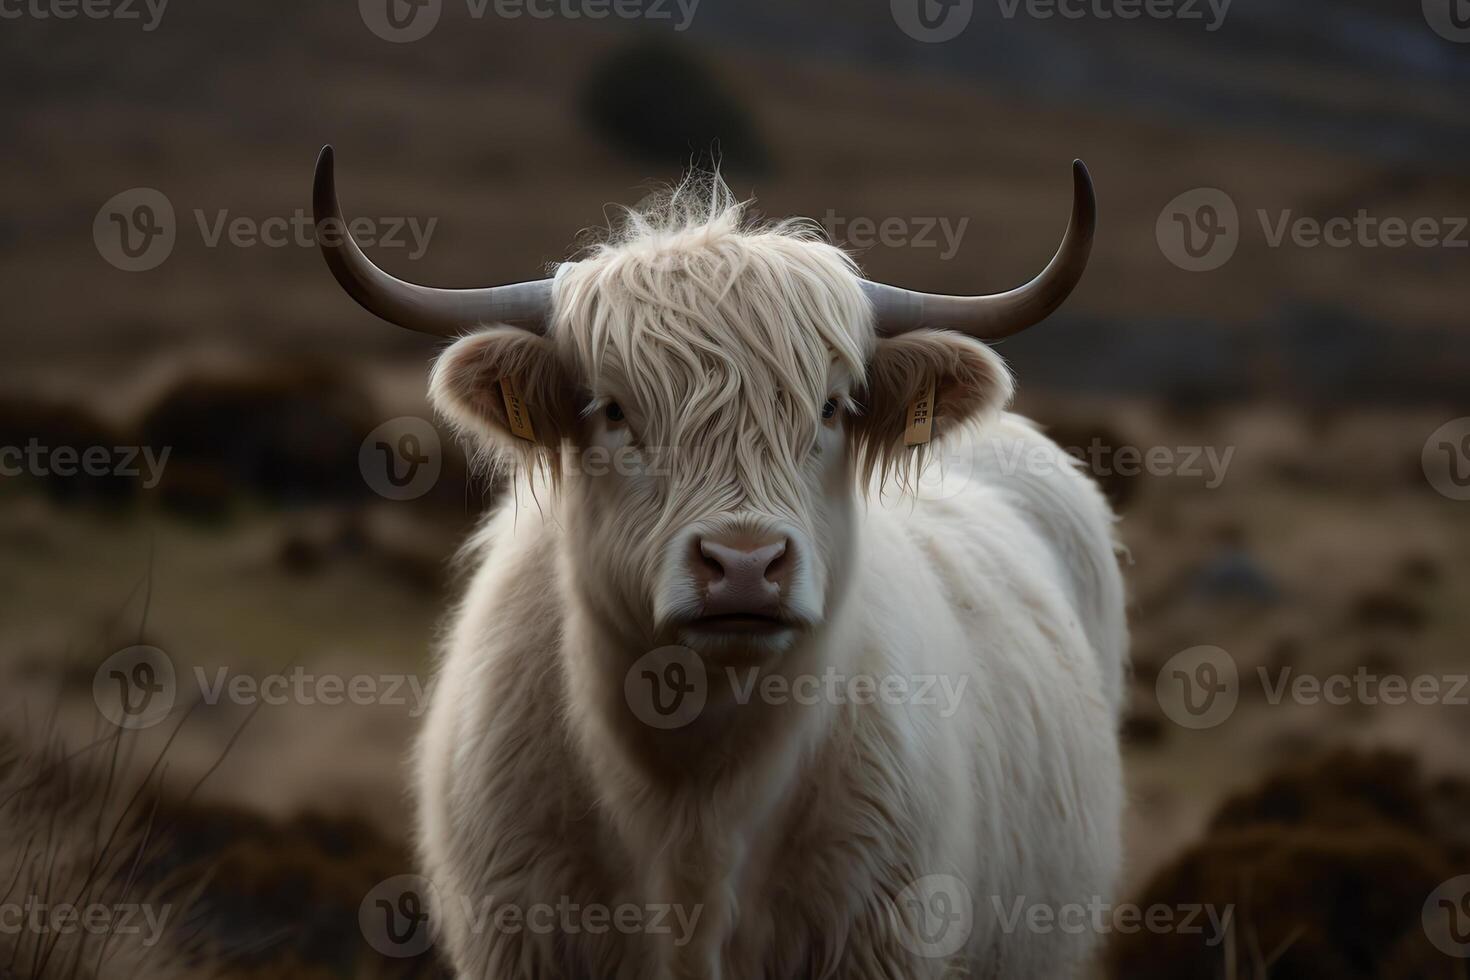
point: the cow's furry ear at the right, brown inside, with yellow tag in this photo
(969, 383)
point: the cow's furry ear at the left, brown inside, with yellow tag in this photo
(506, 387)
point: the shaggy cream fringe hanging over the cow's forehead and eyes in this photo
(724, 336)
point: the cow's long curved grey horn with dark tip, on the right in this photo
(1003, 314)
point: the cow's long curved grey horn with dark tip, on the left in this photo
(426, 309)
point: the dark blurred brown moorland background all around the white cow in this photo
(1324, 547)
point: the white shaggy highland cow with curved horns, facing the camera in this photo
(733, 694)
